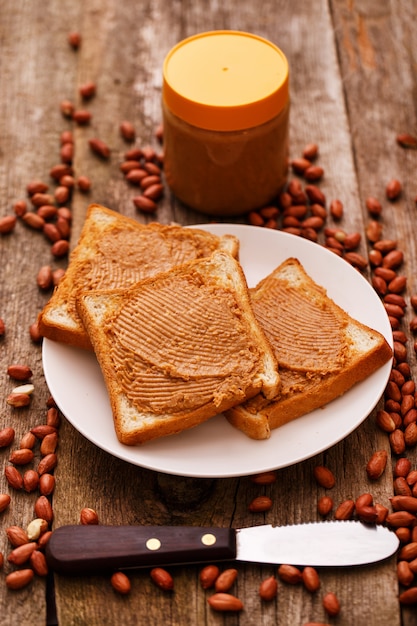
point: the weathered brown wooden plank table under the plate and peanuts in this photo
(353, 85)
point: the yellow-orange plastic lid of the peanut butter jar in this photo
(225, 80)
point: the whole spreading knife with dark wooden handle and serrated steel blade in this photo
(78, 549)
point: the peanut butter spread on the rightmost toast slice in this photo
(306, 333)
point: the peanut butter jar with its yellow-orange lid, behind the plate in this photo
(225, 101)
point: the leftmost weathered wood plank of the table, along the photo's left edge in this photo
(34, 72)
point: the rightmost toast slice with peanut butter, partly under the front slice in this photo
(321, 350)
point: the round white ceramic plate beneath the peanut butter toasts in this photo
(215, 448)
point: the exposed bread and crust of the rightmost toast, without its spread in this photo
(257, 417)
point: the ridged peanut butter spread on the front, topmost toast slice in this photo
(191, 348)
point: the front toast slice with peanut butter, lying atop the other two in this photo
(178, 348)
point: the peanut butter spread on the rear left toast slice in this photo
(123, 257)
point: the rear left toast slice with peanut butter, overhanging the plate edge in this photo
(116, 251)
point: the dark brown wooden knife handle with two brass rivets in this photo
(98, 549)
